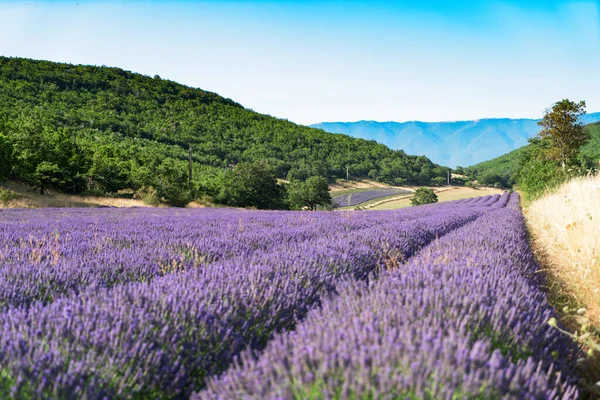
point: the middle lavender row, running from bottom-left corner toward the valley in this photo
(163, 338)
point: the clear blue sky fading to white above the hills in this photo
(316, 60)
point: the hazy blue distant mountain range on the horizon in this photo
(448, 143)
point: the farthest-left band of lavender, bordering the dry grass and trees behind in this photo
(49, 254)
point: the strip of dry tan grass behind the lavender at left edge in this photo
(25, 197)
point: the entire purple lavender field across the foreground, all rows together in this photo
(438, 301)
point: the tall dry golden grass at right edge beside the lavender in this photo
(565, 230)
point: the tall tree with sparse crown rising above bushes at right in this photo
(563, 129)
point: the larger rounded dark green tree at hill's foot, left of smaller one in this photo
(251, 185)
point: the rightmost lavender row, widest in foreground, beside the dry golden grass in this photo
(465, 318)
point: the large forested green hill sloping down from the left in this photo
(82, 127)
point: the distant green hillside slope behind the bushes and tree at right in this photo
(501, 169)
